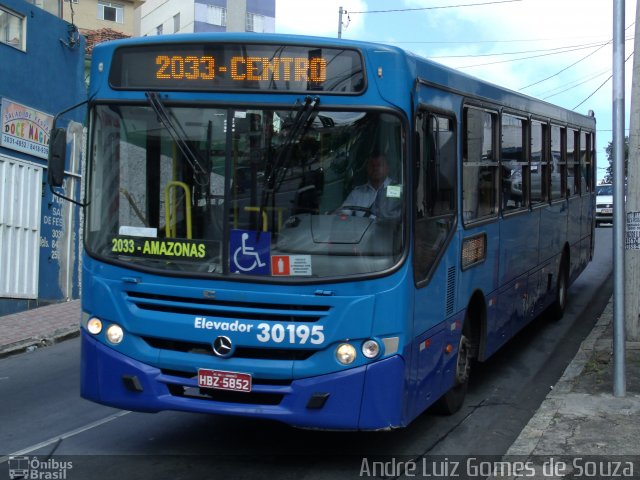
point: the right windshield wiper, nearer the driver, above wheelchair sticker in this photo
(304, 118)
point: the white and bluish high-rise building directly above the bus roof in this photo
(158, 17)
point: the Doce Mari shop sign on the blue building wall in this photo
(25, 129)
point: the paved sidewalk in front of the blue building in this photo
(39, 327)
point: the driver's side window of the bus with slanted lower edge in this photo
(435, 190)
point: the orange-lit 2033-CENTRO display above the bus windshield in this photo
(222, 67)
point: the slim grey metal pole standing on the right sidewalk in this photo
(619, 386)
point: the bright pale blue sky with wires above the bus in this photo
(555, 50)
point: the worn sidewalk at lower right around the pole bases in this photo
(580, 416)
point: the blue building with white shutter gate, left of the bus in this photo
(41, 74)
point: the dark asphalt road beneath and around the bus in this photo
(42, 415)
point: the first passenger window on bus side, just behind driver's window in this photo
(480, 165)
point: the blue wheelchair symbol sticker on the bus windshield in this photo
(250, 252)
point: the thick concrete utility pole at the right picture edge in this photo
(632, 239)
